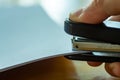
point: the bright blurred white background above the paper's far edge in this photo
(58, 10)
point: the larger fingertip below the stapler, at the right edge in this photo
(113, 68)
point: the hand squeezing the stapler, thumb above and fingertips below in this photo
(97, 12)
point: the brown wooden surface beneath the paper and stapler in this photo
(57, 69)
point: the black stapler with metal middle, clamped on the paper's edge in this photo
(100, 41)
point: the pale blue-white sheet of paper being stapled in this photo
(28, 35)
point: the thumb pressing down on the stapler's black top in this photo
(92, 14)
